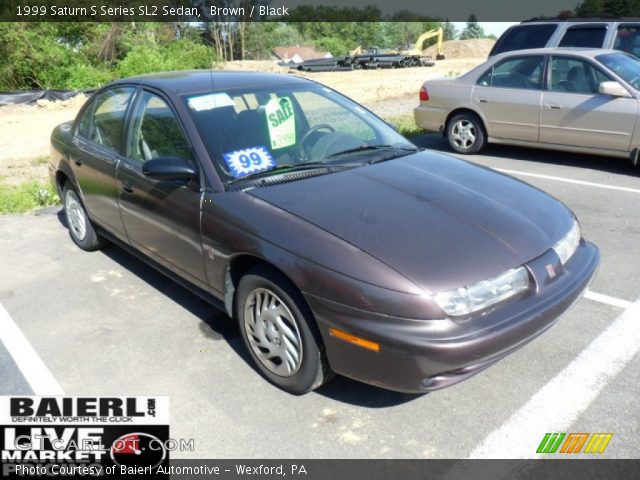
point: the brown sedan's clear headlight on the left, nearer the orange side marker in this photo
(469, 299)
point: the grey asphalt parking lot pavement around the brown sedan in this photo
(104, 323)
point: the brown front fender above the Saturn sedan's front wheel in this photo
(237, 224)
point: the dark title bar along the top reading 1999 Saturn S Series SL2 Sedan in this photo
(281, 10)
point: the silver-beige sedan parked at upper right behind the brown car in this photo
(559, 98)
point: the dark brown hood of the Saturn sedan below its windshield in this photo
(439, 221)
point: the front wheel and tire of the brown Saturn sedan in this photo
(281, 334)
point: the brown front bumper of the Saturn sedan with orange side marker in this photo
(423, 355)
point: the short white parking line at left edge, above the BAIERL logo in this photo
(27, 359)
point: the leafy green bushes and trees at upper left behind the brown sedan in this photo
(77, 55)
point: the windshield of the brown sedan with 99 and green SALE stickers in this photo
(261, 132)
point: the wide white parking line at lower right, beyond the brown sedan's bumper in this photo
(561, 401)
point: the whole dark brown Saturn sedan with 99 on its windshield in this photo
(336, 243)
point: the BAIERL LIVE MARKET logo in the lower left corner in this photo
(82, 435)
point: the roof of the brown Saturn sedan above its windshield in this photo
(196, 81)
